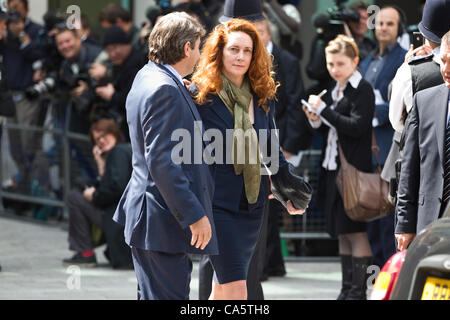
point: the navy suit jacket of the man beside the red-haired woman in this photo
(163, 197)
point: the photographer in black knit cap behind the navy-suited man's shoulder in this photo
(127, 61)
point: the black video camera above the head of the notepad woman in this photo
(331, 24)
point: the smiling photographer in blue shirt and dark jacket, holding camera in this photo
(75, 85)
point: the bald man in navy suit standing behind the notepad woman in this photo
(379, 68)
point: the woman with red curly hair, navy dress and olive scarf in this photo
(234, 94)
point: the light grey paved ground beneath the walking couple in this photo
(31, 254)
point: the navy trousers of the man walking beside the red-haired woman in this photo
(162, 275)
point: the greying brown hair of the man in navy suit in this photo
(169, 36)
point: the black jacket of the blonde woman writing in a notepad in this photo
(352, 119)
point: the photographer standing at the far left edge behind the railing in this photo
(20, 50)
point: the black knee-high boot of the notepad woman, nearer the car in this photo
(359, 278)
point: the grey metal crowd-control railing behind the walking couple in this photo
(307, 227)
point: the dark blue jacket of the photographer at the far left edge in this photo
(19, 61)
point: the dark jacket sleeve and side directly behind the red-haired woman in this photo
(289, 117)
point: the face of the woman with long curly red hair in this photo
(237, 56)
